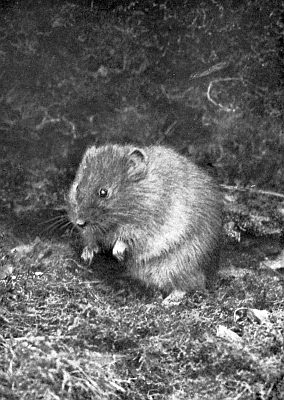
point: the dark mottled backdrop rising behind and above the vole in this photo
(204, 77)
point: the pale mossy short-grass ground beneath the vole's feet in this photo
(69, 331)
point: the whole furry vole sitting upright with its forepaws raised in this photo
(157, 211)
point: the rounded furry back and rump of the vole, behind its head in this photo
(182, 252)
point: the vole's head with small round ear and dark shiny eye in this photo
(107, 191)
